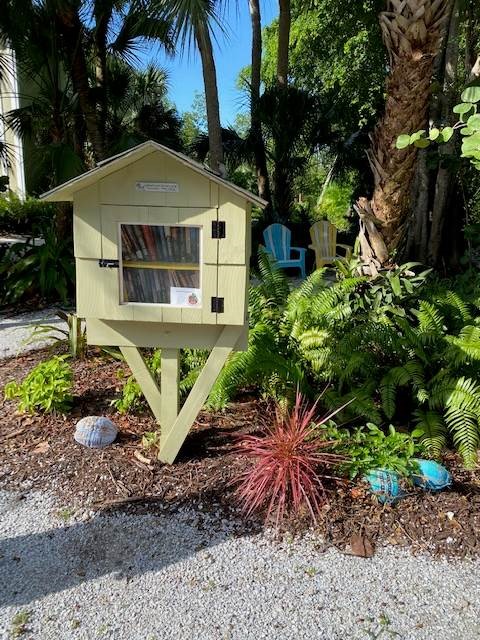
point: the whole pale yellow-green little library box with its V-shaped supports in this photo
(162, 250)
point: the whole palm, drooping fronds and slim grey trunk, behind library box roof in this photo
(193, 23)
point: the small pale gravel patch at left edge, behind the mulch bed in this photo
(15, 330)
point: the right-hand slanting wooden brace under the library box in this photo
(173, 439)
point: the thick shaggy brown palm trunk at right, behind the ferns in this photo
(412, 32)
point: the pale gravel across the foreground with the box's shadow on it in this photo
(187, 575)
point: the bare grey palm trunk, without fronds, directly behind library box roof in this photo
(204, 42)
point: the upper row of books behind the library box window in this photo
(157, 243)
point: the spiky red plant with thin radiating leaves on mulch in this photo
(287, 456)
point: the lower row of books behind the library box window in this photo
(153, 285)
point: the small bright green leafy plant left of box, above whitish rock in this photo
(48, 387)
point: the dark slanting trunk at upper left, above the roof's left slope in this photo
(72, 31)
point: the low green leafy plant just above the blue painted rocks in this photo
(368, 448)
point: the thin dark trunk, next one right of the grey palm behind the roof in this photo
(263, 182)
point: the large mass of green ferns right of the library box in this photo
(403, 347)
